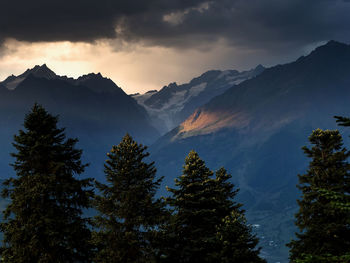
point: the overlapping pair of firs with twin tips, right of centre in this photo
(207, 225)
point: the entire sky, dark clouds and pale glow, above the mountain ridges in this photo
(146, 44)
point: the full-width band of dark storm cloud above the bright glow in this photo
(178, 23)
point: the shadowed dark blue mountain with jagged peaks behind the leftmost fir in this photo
(93, 108)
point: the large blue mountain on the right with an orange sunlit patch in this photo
(256, 130)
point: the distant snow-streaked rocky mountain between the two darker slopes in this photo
(174, 103)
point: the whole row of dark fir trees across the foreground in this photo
(199, 221)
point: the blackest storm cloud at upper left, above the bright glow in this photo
(75, 20)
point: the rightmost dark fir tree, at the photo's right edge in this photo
(324, 215)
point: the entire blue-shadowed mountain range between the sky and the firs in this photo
(253, 123)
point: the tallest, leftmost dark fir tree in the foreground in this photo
(43, 221)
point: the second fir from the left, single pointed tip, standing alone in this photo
(129, 212)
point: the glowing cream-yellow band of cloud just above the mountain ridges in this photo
(136, 70)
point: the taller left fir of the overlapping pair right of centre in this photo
(191, 230)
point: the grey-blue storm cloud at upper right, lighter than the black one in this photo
(250, 23)
